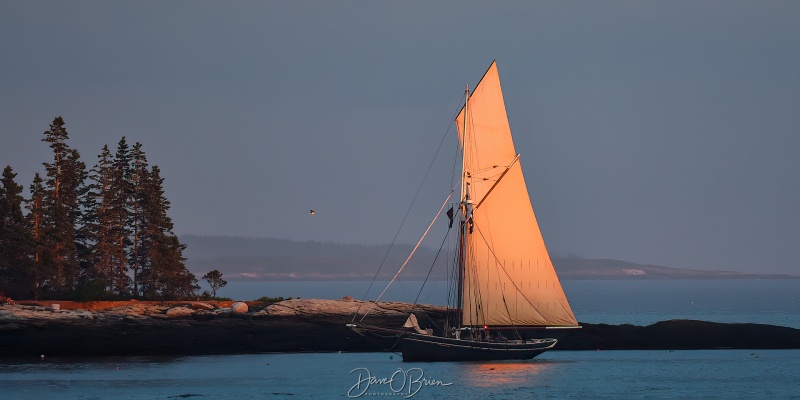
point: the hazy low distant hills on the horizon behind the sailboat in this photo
(240, 258)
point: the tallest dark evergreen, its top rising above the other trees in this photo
(65, 177)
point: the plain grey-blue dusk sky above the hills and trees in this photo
(653, 132)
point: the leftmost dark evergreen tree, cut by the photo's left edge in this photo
(16, 244)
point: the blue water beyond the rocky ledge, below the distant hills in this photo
(638, 302)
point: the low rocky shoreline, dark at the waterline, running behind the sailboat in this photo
(304, 325)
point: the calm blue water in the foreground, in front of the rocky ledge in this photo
(717, 374)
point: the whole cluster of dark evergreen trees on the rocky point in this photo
(95, 234)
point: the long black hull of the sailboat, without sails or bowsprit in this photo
(431, 348)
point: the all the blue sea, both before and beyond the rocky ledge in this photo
(698, 374)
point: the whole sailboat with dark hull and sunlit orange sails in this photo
(508, 292)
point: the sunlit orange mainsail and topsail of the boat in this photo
(508, 277)
